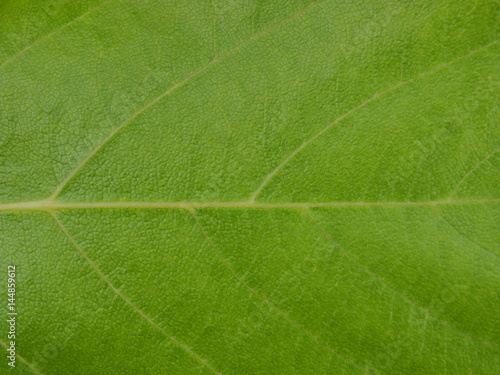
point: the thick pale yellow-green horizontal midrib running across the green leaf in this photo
(50, 205)
